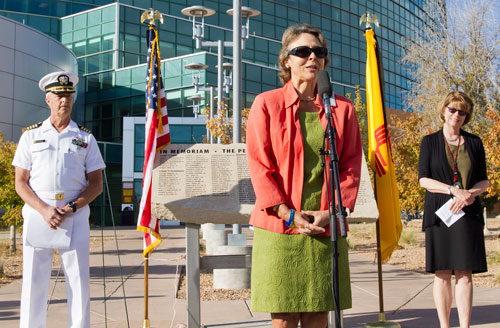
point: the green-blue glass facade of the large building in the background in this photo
(110, 44)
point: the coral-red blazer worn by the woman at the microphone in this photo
(275, 154)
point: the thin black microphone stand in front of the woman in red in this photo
(334, 185)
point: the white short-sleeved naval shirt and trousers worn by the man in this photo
(57, 163)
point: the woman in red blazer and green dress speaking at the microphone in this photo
(292, 255)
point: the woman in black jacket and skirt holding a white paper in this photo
(452, 165)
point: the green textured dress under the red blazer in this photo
(292, 273)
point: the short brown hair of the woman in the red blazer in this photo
(290, 34)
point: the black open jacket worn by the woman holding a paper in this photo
(433, 164)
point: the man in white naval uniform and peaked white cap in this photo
(58, 172)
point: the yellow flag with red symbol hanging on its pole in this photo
(379, 154)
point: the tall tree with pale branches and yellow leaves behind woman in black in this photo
(458, 49)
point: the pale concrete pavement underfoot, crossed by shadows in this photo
(407, 295)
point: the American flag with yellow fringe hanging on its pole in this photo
(157, 137)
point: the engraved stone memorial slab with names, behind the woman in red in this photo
(210, 183)
